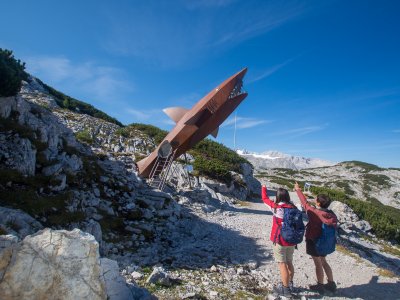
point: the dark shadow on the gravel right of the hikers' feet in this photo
(372, 290)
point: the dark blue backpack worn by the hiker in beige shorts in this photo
(292, 230)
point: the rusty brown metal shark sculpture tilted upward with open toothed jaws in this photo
(195, 124)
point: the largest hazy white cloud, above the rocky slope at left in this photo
(100, 82)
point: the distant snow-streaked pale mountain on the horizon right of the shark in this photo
(275, 159)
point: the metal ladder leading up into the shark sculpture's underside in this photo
(161, 168)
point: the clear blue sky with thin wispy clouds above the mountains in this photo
(323, 78)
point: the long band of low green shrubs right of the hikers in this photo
(384, 219)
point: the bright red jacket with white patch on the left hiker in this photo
(277, 210)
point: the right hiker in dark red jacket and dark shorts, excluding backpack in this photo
(316, 216)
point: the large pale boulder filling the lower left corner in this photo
(60, 265)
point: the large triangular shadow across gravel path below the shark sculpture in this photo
(194, 243)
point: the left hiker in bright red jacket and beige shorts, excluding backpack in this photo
(283, 251)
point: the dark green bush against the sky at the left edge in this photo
(11, 74)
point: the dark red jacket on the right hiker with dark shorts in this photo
(316, 217)
